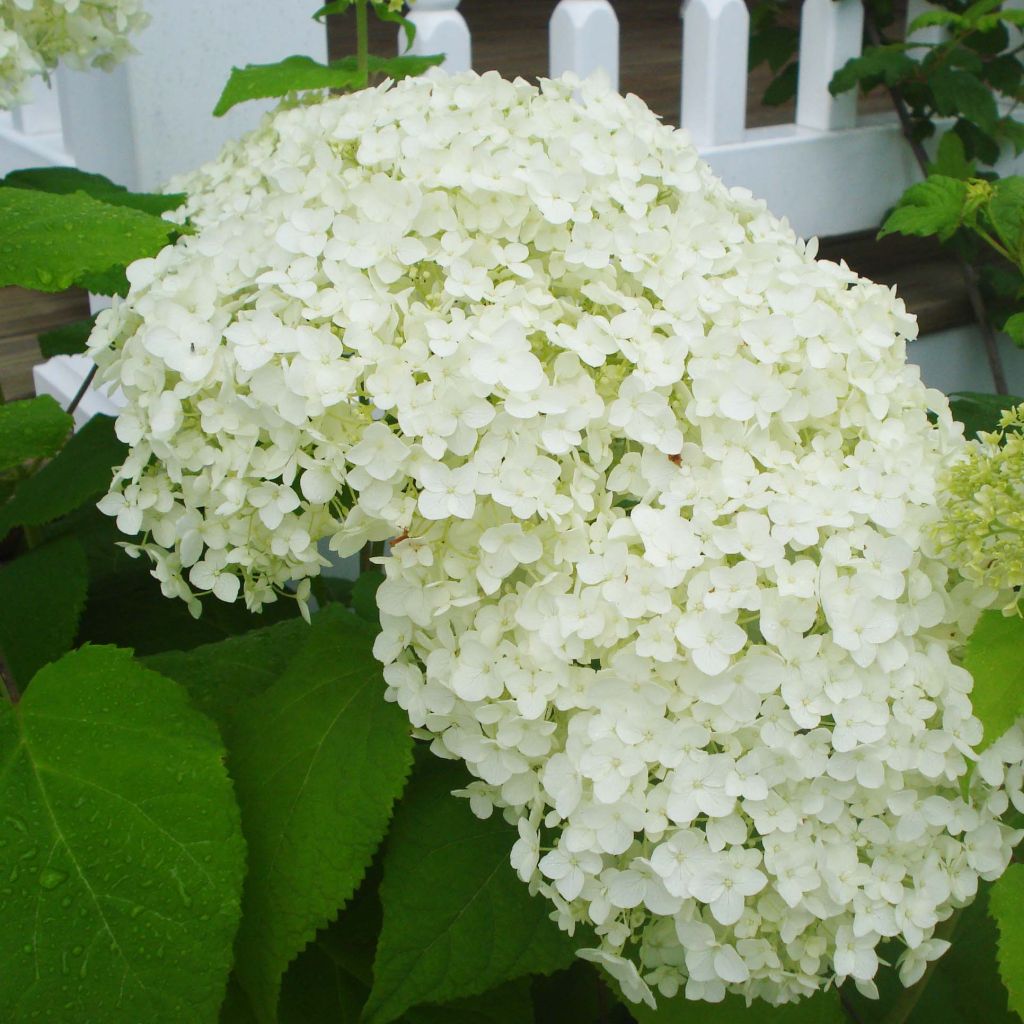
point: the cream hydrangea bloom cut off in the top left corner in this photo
(37, 34)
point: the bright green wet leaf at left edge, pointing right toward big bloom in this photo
(52, 241)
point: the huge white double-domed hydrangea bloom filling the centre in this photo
(660, 487)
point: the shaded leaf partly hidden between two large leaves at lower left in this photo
(222, 677)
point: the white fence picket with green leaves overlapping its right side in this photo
(831, 33)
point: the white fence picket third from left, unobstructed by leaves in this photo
(716, 39)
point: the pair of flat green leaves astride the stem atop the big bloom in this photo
(298, 74)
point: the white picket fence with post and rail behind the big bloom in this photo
(829, 173)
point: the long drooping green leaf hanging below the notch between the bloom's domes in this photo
(319, 759)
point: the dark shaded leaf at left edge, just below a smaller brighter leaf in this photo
(81, 472)
